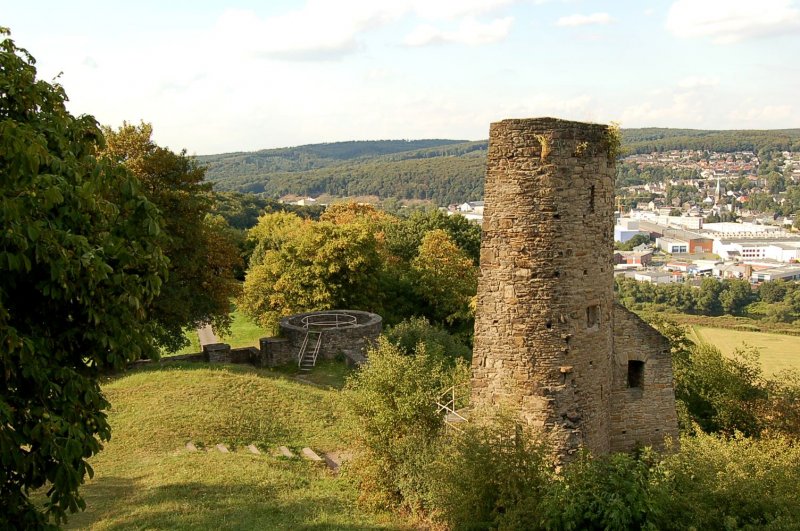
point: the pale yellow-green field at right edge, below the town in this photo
(778, 351)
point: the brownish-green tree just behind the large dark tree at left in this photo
(203, 256)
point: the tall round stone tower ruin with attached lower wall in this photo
(550, 342)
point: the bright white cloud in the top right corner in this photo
(730, 21)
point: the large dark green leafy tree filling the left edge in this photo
(80, 262)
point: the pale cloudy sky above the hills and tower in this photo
(243, 75)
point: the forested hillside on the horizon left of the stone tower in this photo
(443, 171)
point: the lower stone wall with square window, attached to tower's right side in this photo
(645, 415)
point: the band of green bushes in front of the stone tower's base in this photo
(493, 473)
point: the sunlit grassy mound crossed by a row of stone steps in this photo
(146, 479)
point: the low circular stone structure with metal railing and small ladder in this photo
(347, 332)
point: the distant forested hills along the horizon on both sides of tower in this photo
(440, 170)
